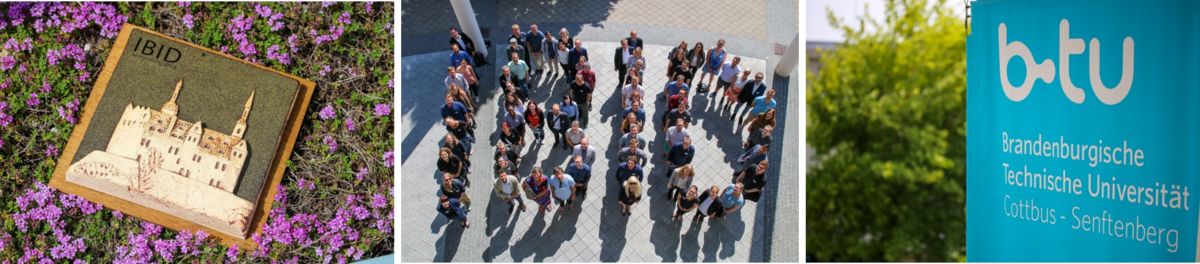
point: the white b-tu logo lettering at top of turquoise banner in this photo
(1046, 71)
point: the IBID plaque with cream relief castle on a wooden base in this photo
(184, 136)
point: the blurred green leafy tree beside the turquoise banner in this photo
(887, 118)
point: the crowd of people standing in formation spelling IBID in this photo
(532, 55)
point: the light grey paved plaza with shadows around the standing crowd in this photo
(597, 232)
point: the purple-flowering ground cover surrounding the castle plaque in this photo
(337, 203)
